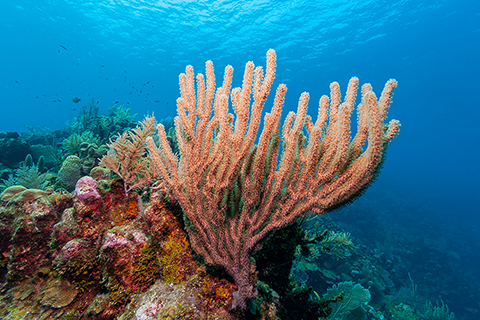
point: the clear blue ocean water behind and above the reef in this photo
(133, 51)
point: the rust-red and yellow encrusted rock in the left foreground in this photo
(110, 258)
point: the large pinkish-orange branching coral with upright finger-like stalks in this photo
(234, 191)
